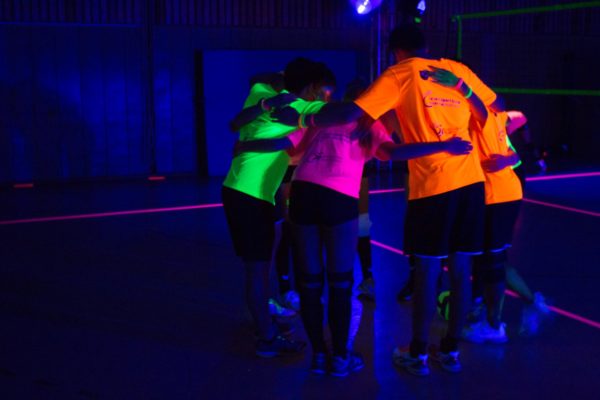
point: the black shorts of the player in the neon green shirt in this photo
(251, 224)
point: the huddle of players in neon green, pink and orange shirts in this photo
(463, 200)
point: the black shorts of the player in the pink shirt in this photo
(312, 204)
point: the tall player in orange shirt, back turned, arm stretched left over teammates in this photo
(446, 193)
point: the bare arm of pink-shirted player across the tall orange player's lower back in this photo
(393, 151)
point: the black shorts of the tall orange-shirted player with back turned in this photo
(447, 223)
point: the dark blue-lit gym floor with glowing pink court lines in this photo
(131, 290)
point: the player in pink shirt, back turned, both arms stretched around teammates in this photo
(324, 213)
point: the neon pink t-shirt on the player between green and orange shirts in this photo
(334, 158)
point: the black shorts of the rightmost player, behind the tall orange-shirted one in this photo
(500, 221)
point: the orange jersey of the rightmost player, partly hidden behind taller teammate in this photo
(504, 185)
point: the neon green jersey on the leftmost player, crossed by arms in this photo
(260, 174)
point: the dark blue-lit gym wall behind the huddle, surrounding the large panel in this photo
(94, 89)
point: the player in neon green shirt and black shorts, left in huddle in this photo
(248, 195)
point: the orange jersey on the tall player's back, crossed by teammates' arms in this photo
(429, 112)
